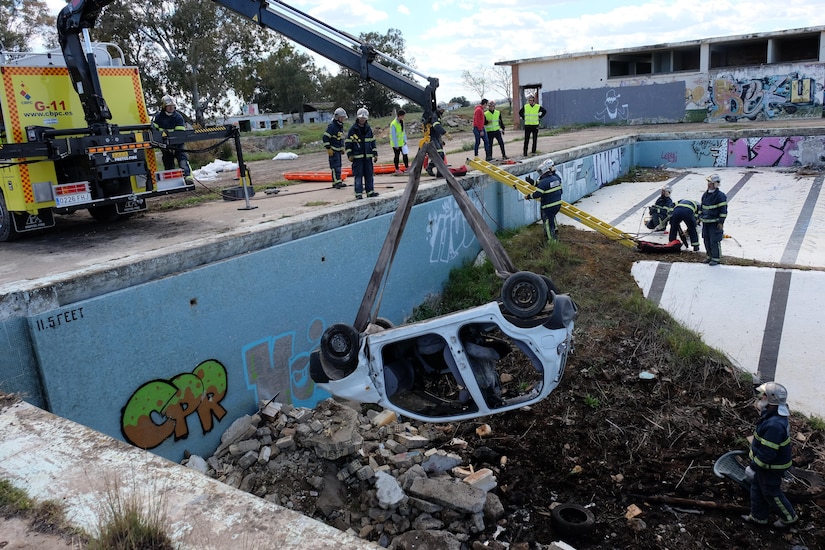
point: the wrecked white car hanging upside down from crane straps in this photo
(488, 359)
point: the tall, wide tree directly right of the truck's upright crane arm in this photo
(188, 48)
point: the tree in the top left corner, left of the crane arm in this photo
(23, 21)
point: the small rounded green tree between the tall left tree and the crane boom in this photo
(286, 80)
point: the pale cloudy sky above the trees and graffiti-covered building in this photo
(446, 37)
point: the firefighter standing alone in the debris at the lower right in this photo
(770, 457)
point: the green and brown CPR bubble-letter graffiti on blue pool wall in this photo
(159, 408)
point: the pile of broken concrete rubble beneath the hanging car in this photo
(391, 482)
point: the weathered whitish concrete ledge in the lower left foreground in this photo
(55, 459)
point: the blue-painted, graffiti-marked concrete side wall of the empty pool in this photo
(166, 355)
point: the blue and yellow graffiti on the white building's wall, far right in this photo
(761, 97)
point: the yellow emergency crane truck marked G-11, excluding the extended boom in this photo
(62, 148)
